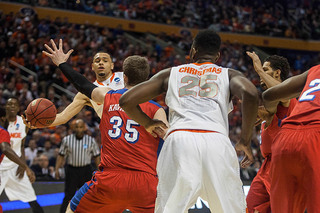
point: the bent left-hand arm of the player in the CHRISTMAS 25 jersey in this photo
(144, 92)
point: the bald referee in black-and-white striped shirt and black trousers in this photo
(78, 149)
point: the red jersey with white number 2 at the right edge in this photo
(307, 110)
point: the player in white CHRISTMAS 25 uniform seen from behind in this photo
(197, 158)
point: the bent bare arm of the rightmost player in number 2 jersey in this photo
(290, 88)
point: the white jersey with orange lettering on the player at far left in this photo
(17, 131)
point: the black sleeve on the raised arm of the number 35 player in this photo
(79, 81)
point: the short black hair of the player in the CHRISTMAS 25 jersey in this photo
(207, 42)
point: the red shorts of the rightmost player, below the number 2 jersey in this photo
(295, 170)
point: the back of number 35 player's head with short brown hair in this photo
(136, 68)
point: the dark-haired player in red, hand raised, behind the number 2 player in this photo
(275, 69)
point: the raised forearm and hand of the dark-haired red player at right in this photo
(267, 79)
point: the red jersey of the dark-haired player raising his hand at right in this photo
(268, 134)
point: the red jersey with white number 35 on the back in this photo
(126, 144)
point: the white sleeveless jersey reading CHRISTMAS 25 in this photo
(198, 97)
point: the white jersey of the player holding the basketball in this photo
(114, 82)
